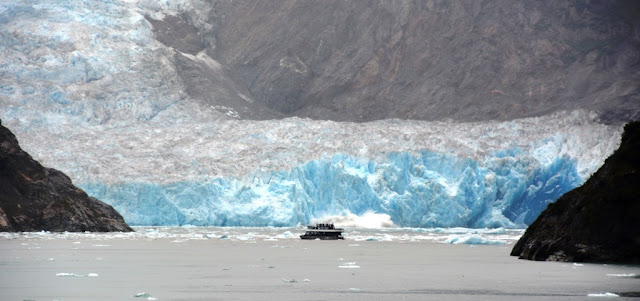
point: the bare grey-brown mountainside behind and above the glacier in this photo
(430, 60)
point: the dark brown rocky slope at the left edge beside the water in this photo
(35, 198)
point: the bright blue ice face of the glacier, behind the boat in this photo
(429, 189)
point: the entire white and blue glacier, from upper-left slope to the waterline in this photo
(88, 90)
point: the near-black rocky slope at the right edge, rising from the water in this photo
(597, 222)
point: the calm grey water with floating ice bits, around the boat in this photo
(214, 263)
